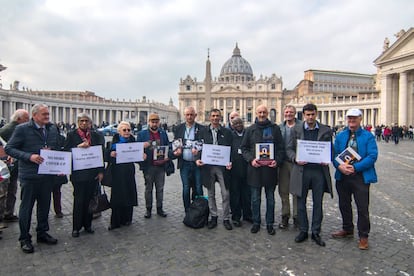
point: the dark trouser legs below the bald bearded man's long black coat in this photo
(270, 204)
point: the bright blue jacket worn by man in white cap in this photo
(367, 149)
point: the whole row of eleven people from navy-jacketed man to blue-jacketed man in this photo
(241, 181)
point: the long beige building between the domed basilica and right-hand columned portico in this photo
(334, 92)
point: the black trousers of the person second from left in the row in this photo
(83, 192)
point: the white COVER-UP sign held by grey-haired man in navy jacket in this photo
(55, 162)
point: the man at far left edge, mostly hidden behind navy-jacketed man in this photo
(8, 192)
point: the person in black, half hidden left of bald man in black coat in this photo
(240, 195)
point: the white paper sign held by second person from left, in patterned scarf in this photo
(87, 158)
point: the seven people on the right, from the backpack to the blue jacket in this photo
(242, 180)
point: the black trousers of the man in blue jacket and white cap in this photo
(353, 185)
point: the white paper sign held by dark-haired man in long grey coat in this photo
(313, 151)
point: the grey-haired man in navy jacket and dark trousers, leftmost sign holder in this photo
(25, 145)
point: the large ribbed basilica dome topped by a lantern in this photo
(236, 66)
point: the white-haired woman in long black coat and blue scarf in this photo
(124, 189)
